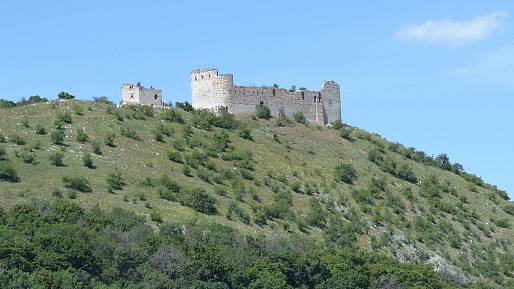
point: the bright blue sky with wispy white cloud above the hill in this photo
(436, 75)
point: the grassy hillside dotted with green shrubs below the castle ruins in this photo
(341, 186)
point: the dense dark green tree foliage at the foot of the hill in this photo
(64, 246)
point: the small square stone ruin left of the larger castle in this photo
(136, 93)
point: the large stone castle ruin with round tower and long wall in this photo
(217, 92)
